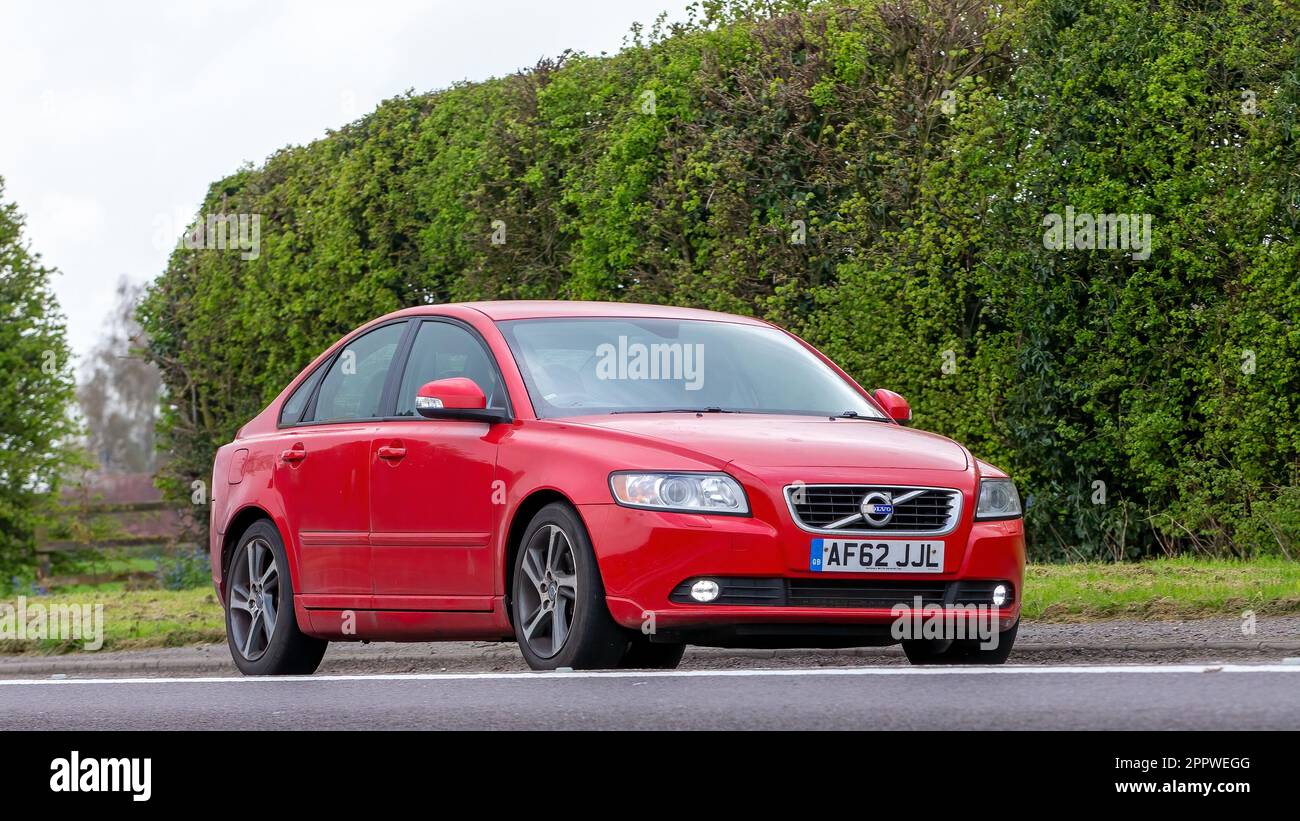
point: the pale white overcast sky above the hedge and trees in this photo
(115, 118)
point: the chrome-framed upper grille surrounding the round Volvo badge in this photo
(838, 509)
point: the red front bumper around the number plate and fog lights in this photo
(645, 557)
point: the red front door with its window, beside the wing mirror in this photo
(434, 502)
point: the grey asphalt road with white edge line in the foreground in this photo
(1240, 697)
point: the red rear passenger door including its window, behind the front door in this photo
(323, 470)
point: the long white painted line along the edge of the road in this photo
(1143, 670)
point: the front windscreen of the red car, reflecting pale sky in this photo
(579, 367)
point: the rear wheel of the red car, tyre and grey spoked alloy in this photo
(287, 651)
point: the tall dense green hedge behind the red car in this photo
(1146, 406)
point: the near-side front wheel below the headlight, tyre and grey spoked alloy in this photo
(558, 601)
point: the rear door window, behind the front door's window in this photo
(354, 386)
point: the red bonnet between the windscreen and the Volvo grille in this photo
(764, 441)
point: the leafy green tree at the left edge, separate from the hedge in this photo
(36, 393)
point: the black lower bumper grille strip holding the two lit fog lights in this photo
(840, 593)
